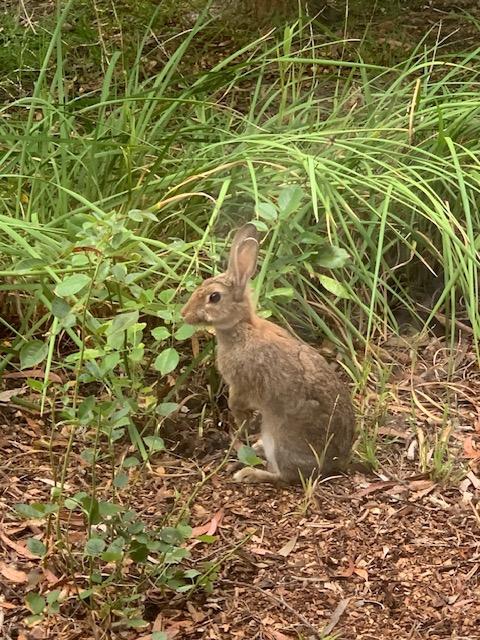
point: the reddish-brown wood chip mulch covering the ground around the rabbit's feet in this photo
(391, 555)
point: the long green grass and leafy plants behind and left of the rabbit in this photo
(115, 201)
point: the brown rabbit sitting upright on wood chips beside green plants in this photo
(307, 417)
